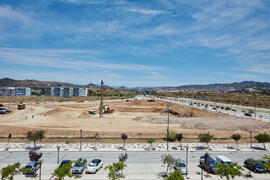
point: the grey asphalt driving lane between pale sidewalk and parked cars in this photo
(133, 157)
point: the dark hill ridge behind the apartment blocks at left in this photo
(7, 82)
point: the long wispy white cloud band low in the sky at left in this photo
(68, 59)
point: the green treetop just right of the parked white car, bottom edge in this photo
(116, 170)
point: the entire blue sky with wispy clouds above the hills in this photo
(135, 42)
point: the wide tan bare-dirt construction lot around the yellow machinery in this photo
(136, 118)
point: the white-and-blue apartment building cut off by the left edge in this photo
(15, 91)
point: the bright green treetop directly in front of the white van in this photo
(228, 170)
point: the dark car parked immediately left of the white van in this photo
(208, 163)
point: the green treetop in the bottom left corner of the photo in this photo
(8, 172)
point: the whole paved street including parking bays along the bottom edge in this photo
(140, 165)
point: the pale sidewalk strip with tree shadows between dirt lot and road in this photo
(158, 147)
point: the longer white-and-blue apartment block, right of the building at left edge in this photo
(66, 92)
